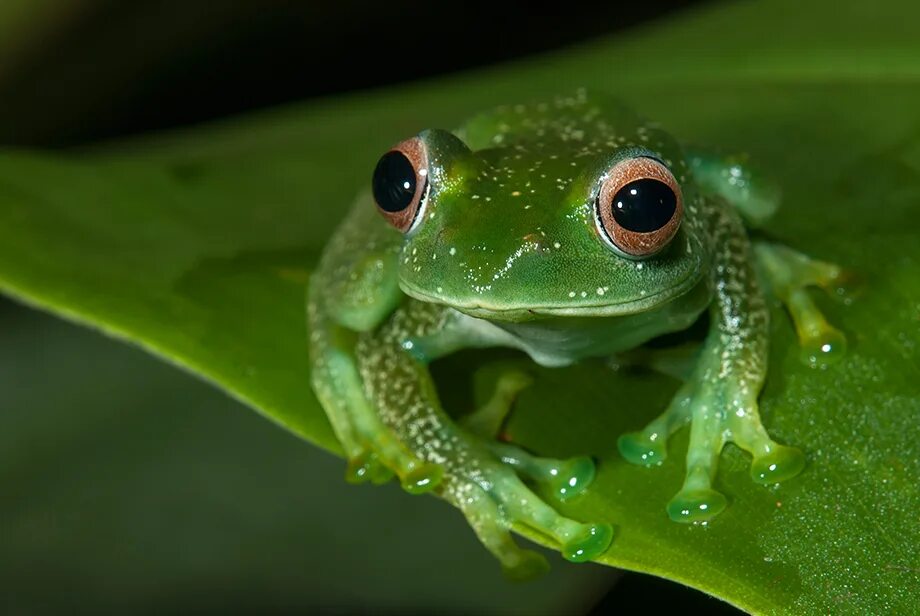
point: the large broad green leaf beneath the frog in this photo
(197, 246)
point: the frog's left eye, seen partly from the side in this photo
(400, 183)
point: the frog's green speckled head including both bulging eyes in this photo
(542, 219)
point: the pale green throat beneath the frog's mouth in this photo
(559, 341)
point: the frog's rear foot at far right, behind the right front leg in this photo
(790, 273)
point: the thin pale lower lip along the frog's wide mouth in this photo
(578, 307)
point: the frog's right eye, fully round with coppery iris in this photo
(639, 207)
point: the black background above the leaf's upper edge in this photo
(117, 67)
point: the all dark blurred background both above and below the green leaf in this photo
(106, 456)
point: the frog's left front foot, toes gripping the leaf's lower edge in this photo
(494, 500)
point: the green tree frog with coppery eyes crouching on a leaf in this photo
(570, 229)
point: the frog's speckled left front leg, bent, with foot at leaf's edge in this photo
(479, 475)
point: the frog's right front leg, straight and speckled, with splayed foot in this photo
(720, 397)
